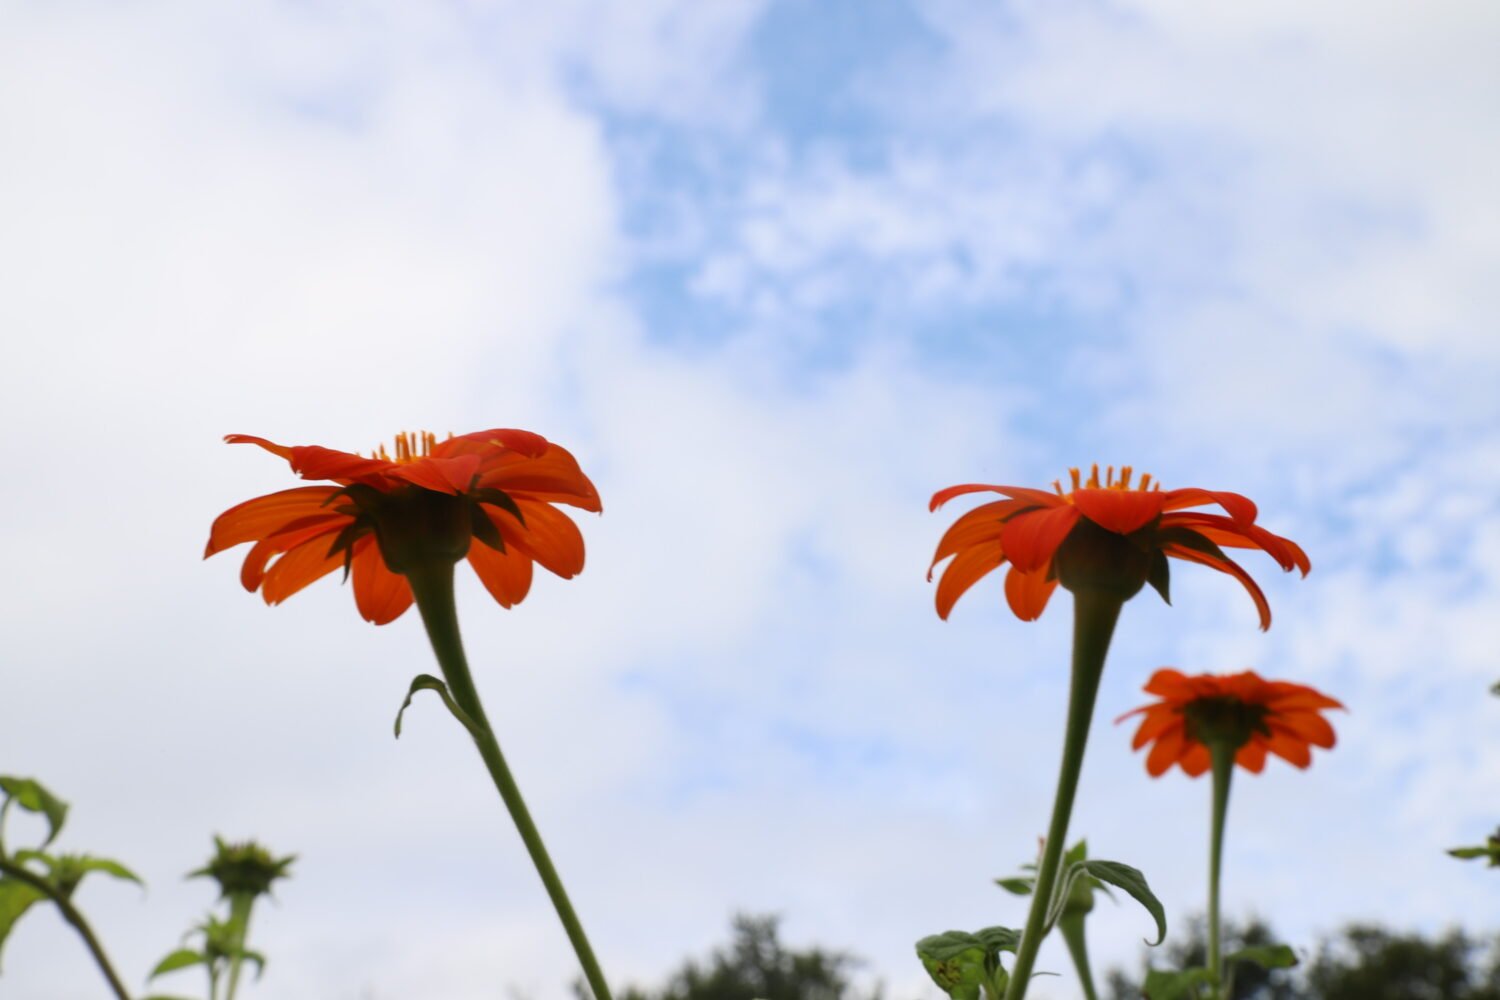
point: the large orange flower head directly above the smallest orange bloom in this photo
(1030, 527)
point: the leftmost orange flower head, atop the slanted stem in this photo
(431, 501)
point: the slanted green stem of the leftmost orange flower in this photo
(434, 591)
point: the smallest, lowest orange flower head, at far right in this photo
(1244, 710)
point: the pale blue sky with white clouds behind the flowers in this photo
(775, 272)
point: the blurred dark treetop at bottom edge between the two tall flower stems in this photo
(757, 965)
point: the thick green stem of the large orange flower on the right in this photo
(1094, 617)
